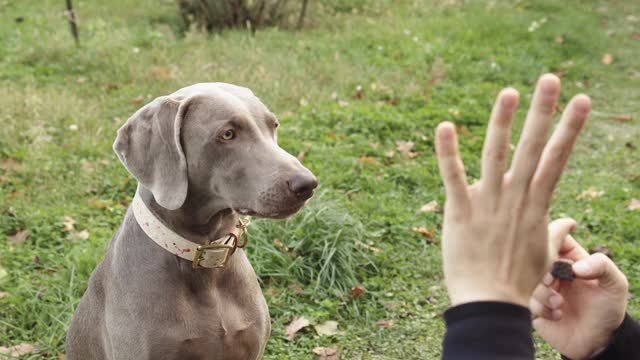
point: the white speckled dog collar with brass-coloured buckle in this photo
(215, 254)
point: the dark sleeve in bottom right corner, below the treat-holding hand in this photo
(625, 343)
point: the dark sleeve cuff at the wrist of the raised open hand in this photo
(488, 331)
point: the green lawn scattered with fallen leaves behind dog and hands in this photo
(417, 62)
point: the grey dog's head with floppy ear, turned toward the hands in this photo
(218, 144)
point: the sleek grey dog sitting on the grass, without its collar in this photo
(202, 156)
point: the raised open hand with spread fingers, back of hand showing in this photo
(495, 243)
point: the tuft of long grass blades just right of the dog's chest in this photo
(318, 248)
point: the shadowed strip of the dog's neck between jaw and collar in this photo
(196, 220)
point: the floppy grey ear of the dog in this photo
(148, 145)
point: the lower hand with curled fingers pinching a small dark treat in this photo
(578, 318)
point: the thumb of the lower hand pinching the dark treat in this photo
(599, 267)
